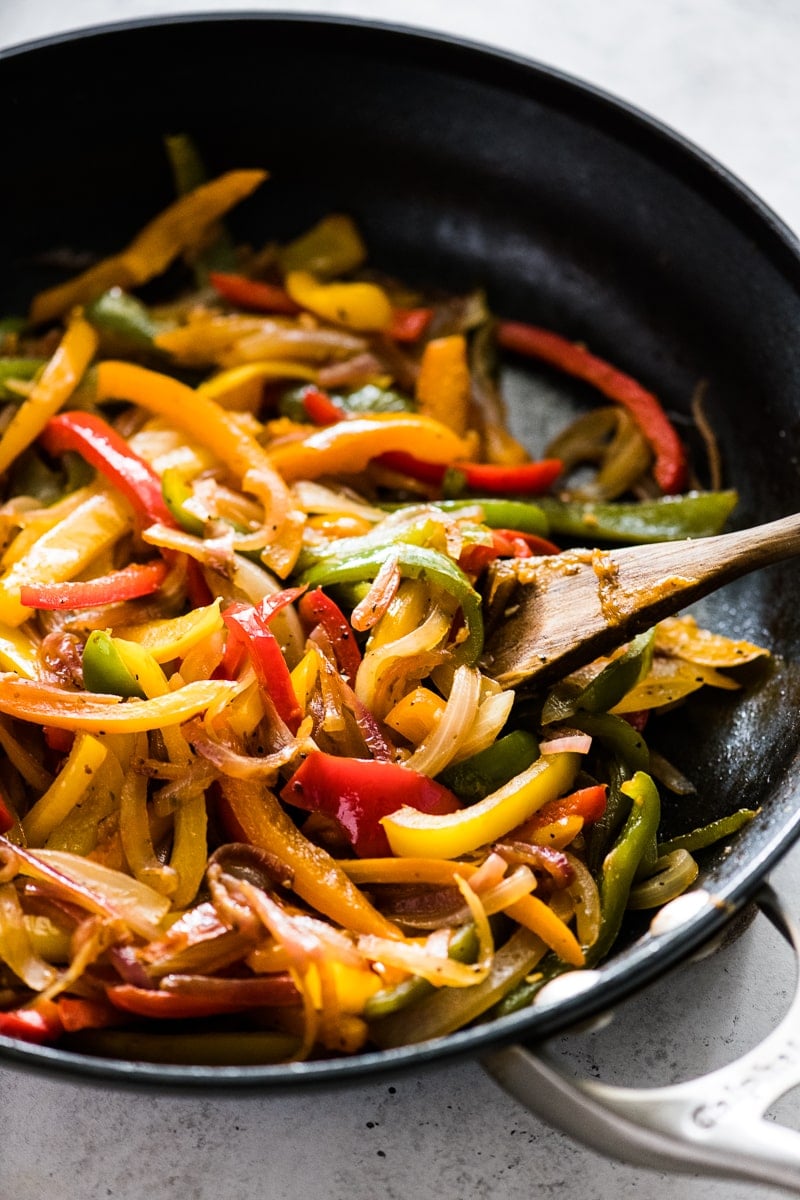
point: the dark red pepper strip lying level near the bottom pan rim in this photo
(219, 997)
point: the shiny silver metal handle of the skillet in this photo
(711, 1126)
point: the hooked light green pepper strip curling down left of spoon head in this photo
(414, 562)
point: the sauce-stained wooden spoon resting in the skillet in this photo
(551, 616)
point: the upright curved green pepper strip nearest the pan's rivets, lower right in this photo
(623, 861)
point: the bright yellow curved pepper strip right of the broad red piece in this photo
(416, 835)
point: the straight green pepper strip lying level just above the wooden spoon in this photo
(667, 519)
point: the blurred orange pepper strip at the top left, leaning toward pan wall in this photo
(179, 229)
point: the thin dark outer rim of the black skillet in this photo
(648, 959)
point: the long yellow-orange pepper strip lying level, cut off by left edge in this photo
(49, 705)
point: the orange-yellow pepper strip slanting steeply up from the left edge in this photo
(51, 392)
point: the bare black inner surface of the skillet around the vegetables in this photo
(466, 167)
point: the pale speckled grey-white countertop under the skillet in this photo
(723, 73)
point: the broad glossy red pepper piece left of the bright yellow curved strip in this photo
(360, 791)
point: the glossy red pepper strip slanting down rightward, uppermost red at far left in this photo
(109, 452)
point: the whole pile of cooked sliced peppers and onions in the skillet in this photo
(261, 797)
